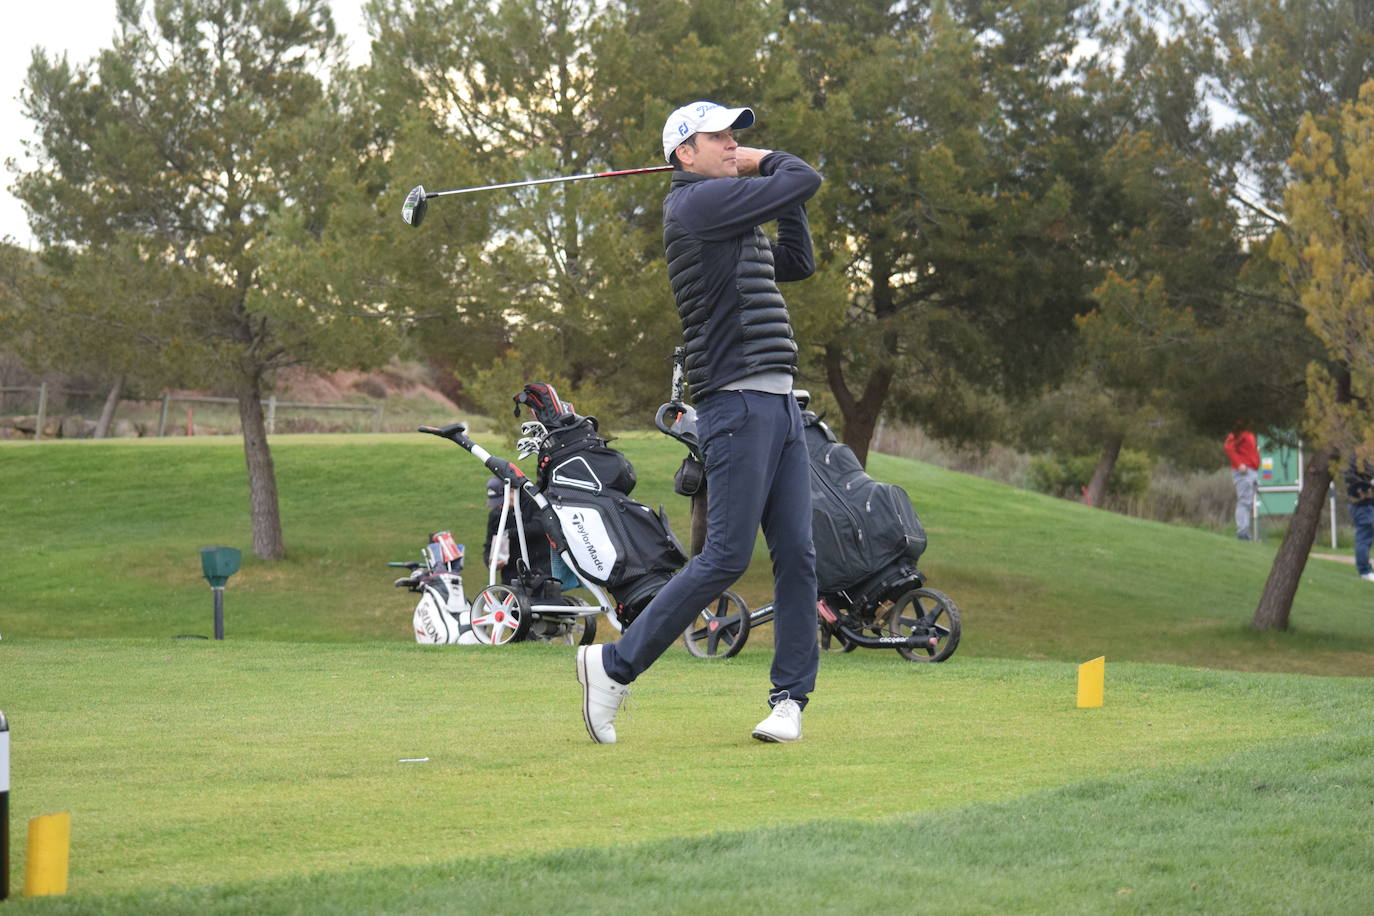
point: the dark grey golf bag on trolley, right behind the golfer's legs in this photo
(861, 527)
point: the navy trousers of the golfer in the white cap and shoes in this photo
(758, 473)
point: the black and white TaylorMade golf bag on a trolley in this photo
(613, 540)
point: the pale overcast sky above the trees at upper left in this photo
(80, 28)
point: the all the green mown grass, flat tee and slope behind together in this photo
(264, 774)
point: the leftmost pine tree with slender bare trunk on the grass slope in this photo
(175, 165)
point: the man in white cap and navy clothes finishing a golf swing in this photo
(741, 359)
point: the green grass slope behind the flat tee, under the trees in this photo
(101, 539)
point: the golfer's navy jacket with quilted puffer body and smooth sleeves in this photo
(725, 271)
